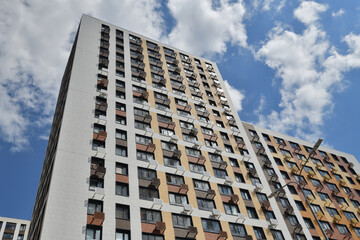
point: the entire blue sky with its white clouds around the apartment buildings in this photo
(293, 66)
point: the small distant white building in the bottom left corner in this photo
(13, 229)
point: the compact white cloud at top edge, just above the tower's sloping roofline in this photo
(204, 29)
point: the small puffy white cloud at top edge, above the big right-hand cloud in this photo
(308, 11)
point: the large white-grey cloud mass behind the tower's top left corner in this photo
(35, 40)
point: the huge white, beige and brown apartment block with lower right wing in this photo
(146, 144)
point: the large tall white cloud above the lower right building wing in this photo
(310, 70)
